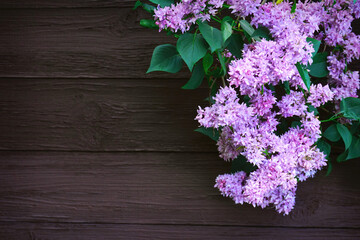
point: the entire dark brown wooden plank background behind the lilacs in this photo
(92, 148)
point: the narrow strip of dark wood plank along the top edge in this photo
(66, 3)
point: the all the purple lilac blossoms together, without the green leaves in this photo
(251, 129)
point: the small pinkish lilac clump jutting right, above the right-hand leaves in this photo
(319, 95)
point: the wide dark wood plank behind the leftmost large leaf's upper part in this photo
(105, 42)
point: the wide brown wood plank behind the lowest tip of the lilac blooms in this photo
(158, 188)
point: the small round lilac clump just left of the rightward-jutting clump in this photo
(292, 104)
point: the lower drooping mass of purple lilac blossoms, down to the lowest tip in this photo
(281, 160)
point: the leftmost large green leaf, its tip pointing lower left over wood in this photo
(165, 58)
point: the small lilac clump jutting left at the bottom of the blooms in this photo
(231, 185)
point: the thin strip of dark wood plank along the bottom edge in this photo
(22, 231)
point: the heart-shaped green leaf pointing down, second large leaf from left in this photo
(192, 47)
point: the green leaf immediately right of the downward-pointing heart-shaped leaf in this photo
(212, 36)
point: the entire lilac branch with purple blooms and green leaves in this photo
(281, 95)
